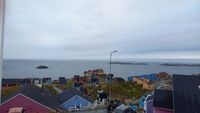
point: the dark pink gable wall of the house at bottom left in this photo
(21, 101)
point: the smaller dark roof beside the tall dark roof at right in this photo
(163, 99)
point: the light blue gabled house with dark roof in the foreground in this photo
(74, 98)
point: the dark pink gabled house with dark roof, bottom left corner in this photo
(30, 99)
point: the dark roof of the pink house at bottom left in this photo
(37, 94)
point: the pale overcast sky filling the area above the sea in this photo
(85, 29)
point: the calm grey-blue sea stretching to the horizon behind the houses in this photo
(19, 68)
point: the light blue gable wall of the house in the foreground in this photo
(76, 100)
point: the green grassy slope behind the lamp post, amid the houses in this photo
(120, 90)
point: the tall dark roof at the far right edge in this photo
(186, 93)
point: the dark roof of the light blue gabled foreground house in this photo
(66, 95)
